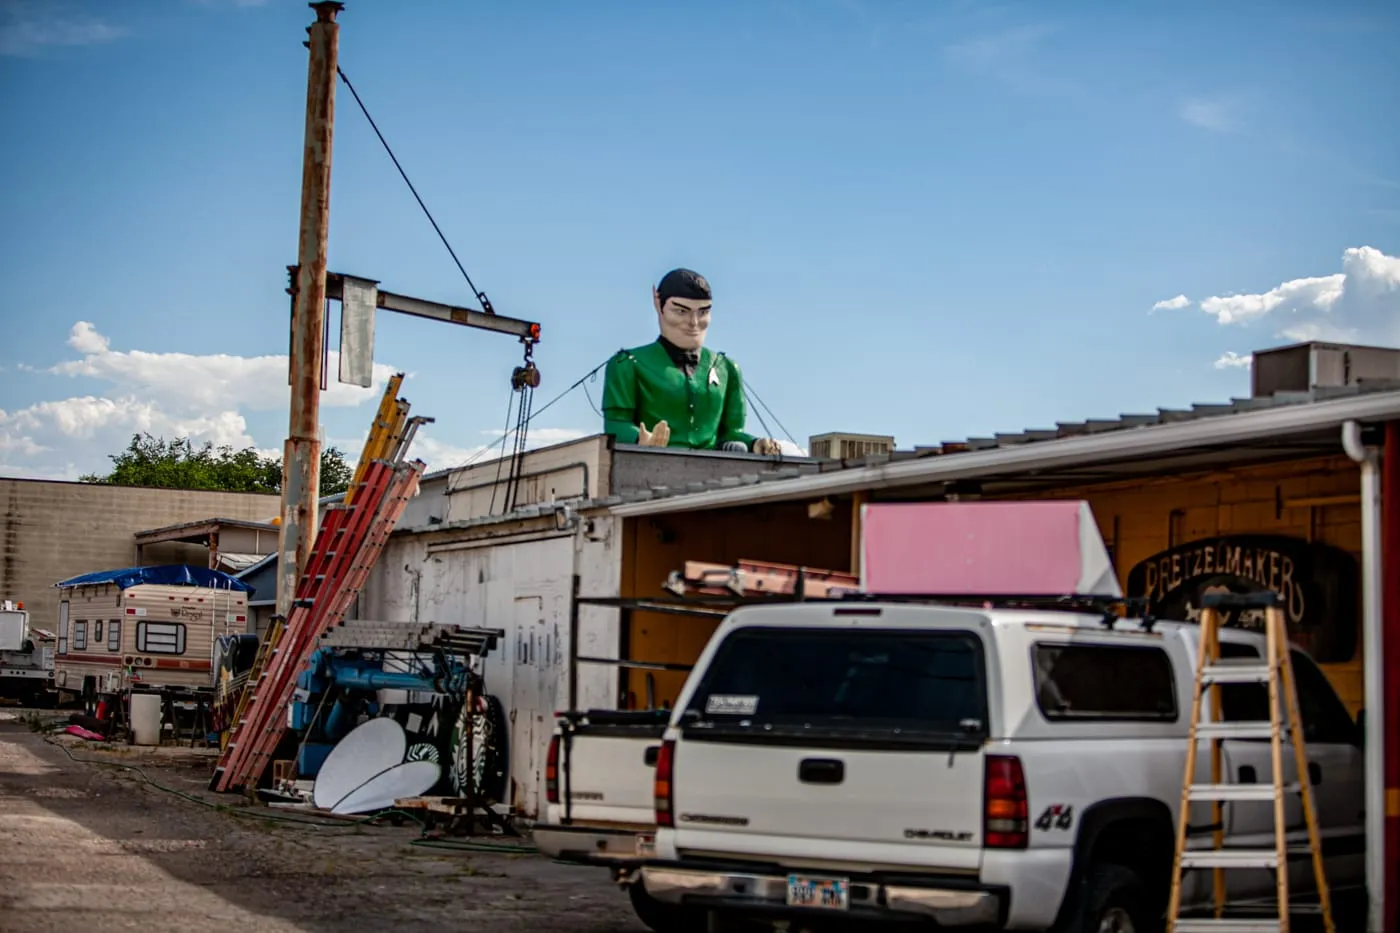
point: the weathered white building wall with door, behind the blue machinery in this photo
(523, 586)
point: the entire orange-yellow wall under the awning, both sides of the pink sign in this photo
(1140, 519)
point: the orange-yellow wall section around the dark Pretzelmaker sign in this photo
(1144, 518)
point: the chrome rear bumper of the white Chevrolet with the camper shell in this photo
(724, 889)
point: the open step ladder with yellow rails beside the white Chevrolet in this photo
(1275, 672)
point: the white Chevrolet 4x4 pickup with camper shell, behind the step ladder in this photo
(1014, 770)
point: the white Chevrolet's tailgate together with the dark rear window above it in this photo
(827, 746)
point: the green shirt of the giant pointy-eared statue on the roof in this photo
(645, 386)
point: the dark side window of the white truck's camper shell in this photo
(1077, 683)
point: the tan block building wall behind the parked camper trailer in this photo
(55, 530)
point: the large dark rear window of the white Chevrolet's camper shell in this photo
(849, 679)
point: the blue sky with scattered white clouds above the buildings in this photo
(927, 219)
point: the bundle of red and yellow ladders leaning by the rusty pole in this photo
(351, 540)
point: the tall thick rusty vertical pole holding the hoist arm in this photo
(302, 456)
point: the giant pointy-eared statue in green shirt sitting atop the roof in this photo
(674, 393)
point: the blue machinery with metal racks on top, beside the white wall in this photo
(359, 659)
